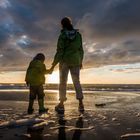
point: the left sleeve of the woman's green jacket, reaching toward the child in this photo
(60, 51)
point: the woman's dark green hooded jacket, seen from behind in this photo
(69, 48)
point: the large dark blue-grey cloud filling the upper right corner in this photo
(113, 18)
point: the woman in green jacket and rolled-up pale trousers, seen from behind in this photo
(69, 55)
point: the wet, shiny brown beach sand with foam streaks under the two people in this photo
(107, 116)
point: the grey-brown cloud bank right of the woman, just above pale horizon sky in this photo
(123, 52)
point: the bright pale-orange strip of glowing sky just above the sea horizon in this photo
(101, 75)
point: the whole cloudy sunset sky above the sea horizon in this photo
(110, 30)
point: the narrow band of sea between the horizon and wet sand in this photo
(70, 88)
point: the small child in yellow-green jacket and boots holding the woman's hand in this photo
(35, 78)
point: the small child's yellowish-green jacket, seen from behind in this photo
(35, 74)
